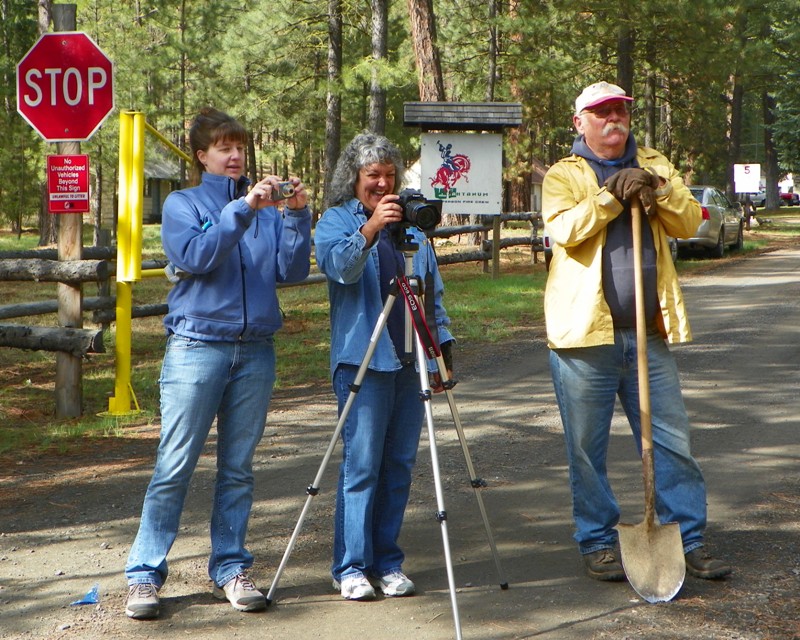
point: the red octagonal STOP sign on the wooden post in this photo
(65, 86)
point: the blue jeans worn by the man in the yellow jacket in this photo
(587, 381)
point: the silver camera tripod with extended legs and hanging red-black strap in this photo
(419, 342)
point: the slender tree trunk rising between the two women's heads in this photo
(333, 115)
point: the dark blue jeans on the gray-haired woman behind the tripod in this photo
(381, 438)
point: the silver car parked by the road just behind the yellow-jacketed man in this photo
(722, 225)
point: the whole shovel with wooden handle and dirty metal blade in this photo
(652, 553)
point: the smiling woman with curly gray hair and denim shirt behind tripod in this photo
(355, 250)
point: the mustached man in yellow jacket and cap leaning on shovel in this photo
(591, 324)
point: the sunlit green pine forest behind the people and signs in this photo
(715, 82)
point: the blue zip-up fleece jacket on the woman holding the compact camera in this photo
(230, 258)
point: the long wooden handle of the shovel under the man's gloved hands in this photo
(646, 426)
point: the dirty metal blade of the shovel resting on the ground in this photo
(652, 556)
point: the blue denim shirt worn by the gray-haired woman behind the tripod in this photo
(353, 273)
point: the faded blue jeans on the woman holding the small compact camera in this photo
(233, 382)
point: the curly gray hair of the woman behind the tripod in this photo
(365, 149)
